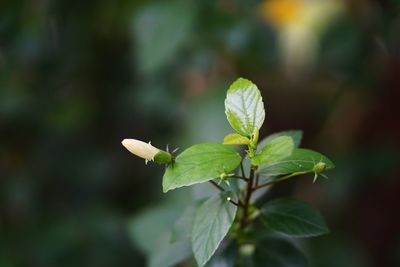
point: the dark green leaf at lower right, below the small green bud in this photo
(294, 218)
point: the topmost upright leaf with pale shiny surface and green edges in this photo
(244, 107)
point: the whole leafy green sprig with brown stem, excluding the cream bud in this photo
(224, 223)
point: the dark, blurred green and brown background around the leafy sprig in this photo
(76, 77)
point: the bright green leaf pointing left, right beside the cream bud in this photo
(200, 163)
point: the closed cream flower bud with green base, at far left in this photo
(147, 151)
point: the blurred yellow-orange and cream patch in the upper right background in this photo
(299, 24)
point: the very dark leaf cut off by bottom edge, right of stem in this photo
(278, 253)
